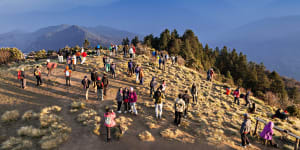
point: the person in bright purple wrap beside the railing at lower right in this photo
(267, 134)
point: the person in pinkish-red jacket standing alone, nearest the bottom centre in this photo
(110, 122)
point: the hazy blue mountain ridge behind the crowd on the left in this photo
(55, 37)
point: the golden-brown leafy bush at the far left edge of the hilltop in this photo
(10, 54)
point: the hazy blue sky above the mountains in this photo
(207, 18)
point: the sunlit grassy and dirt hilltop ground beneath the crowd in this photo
(55, 116)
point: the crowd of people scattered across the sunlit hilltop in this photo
(127, 98)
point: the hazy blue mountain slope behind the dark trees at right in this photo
(273, 41)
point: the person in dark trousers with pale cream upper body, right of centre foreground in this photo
(179, 109)
